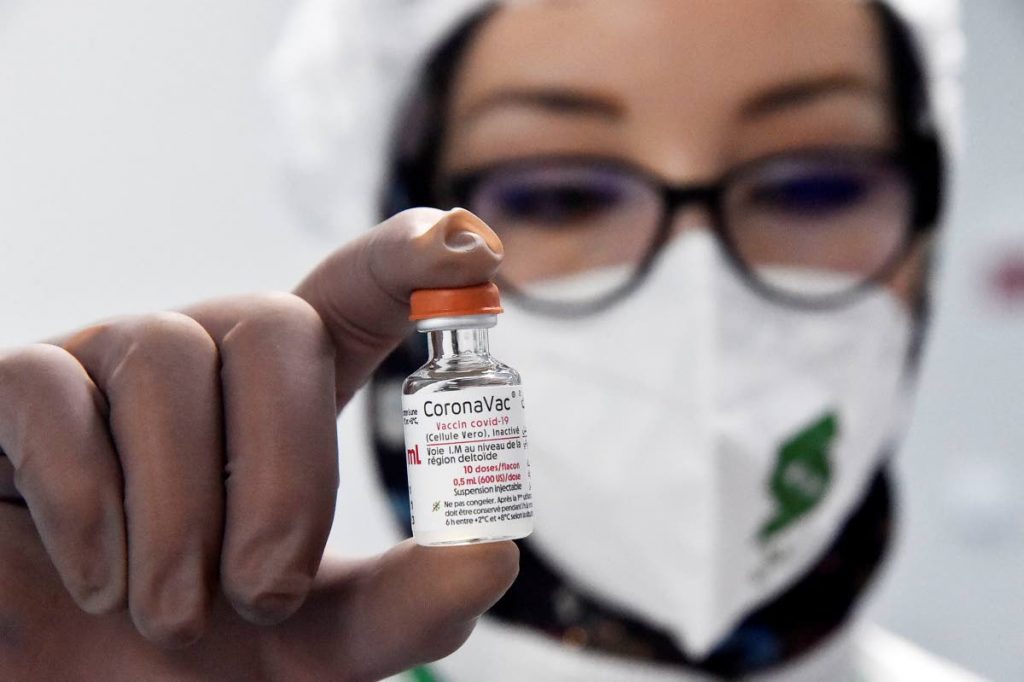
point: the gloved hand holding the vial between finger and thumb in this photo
(184, 467)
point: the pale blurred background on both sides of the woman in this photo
(138, 174)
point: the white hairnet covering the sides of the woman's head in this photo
(343, 66)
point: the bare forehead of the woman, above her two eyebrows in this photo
(665, 53)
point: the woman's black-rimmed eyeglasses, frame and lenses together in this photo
(595, 227)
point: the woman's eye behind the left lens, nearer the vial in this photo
(559, 204)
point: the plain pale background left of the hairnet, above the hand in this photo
(137, 163)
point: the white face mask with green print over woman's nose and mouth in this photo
(696, 449)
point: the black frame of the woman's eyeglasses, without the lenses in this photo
(711, 197)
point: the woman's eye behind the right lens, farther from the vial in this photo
(814, 194)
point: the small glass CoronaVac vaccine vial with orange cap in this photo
(465, 433)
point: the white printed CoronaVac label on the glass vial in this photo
(468, 471)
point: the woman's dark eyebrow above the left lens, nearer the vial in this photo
(565, 101)
